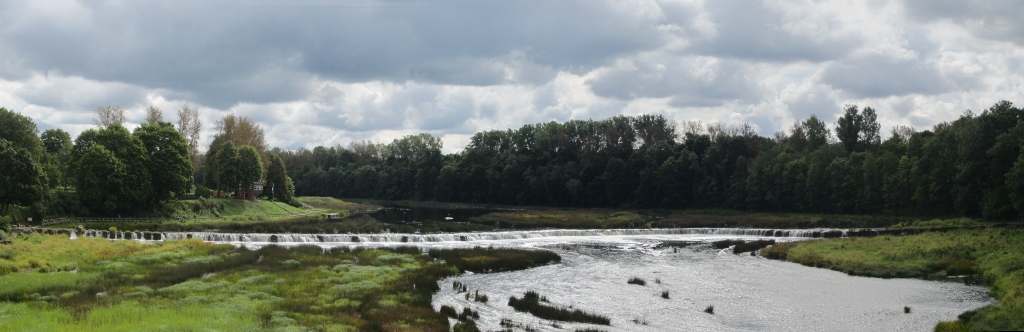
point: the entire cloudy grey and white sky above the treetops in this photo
(328, 73)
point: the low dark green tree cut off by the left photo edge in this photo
(22, 179)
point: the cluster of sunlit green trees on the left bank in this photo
(110, 171)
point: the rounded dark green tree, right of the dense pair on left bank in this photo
(170, 170)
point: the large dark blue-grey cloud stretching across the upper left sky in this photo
(229, 53)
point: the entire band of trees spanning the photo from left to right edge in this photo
(972, 167)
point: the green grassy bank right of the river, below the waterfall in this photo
(996, 257)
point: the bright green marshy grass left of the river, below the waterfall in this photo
(190, 285)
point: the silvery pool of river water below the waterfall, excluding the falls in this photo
(749, 294)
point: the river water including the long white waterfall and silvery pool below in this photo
(748, 293)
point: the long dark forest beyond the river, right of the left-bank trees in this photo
(972, 167)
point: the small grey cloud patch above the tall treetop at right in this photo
(879, 76)
